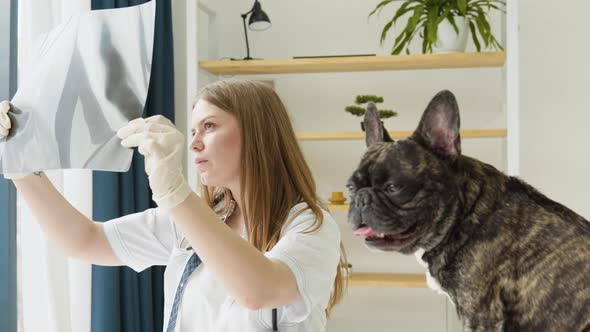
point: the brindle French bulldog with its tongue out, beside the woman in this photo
(510, 258)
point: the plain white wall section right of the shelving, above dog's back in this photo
(555, 111)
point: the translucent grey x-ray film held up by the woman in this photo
(86, 79)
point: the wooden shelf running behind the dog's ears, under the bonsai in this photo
(354, 135)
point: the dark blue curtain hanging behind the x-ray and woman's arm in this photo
(123, 300)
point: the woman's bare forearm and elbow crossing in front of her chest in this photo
(254, 280)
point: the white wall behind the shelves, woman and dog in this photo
(554, 79)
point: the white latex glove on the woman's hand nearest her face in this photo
(162, 145)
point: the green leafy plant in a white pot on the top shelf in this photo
(433, 20)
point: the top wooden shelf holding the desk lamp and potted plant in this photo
(352, 64)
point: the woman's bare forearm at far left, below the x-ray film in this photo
(72, 232)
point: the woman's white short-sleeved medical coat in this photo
(150, 238)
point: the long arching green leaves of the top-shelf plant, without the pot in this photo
(426, 15)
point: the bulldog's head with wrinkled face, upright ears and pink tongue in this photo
(403, 192)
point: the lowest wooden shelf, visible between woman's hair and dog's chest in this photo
(400, 280)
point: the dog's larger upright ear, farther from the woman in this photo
(439, 127)
